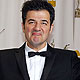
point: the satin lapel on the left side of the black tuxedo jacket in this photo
(20, 56)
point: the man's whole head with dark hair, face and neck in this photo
(37, 24)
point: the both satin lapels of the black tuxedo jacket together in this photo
(20, 56)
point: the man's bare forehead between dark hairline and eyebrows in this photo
(38, 14)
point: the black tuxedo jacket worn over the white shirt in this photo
(60, 65)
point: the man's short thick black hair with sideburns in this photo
(38, 5)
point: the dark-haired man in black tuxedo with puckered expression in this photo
(36, 60)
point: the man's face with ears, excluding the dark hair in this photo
(37, 27)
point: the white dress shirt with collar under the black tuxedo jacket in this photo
(35, 64)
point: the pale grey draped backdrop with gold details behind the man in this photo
(66, 32)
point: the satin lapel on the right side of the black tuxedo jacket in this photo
(48, 63)
